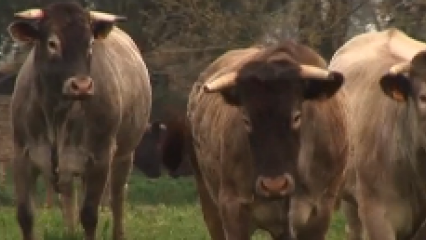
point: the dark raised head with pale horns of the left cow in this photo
(63, 35)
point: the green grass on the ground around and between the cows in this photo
(163, 209)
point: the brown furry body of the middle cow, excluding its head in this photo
(224, 167)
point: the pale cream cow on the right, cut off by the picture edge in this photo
(385, 194)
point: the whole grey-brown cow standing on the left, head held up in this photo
(81, 103)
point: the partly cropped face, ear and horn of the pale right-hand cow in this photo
(407, 80)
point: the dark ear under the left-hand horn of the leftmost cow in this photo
(23, 32)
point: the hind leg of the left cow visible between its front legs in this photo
(69, 207)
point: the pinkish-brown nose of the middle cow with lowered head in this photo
(275, 186)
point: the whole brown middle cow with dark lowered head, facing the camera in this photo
(267, 139)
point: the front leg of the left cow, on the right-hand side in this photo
(94, 181)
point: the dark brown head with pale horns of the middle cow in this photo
(270, 91)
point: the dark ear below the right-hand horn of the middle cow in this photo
(320, 89)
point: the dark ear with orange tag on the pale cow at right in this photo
(397, 87)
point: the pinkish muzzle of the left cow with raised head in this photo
(78, 87)
